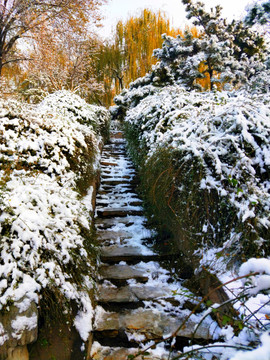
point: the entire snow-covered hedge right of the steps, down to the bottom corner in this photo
(204, 161)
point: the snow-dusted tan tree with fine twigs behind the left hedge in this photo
(61, 60)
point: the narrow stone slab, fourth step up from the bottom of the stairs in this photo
(122, 272)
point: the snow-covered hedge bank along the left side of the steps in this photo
(49, 165)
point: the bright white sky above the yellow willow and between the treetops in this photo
(117, 10)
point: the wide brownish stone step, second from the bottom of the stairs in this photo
(153, 324)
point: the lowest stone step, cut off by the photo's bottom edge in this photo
(99, 352)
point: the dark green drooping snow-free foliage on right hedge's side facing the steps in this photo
(178, 207)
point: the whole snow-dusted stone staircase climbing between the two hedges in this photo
(138, 300)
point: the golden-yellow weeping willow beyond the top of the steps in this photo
(129, 55)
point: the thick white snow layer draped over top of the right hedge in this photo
(227, 133)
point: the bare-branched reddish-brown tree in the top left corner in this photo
(18, 18)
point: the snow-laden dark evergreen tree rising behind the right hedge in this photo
(223, 53)
